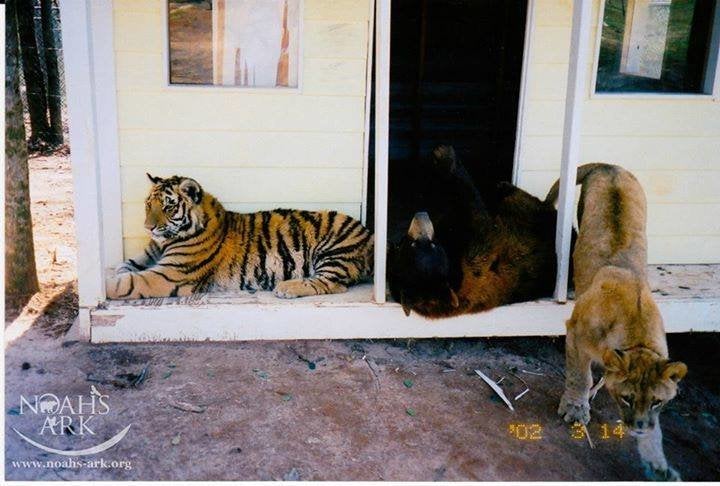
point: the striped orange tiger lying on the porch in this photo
(198, 246)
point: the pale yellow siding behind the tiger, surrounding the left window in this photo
(253, 150)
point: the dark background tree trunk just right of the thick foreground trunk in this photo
(32, 70)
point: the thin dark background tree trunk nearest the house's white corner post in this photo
(54, 96)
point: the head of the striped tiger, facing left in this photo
(173, 209)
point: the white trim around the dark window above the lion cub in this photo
(714, 96)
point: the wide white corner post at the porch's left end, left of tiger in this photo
(80, 85)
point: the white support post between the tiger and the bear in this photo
(382, 131)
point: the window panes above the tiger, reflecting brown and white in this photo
(248, 43)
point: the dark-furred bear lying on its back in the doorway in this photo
(476, 253)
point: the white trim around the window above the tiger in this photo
(164, 7)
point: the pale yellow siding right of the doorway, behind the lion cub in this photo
(672, 144)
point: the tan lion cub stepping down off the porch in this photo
(616, 321)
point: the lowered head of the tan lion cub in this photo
(641, 384)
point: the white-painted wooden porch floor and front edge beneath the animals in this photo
(688, 296)
